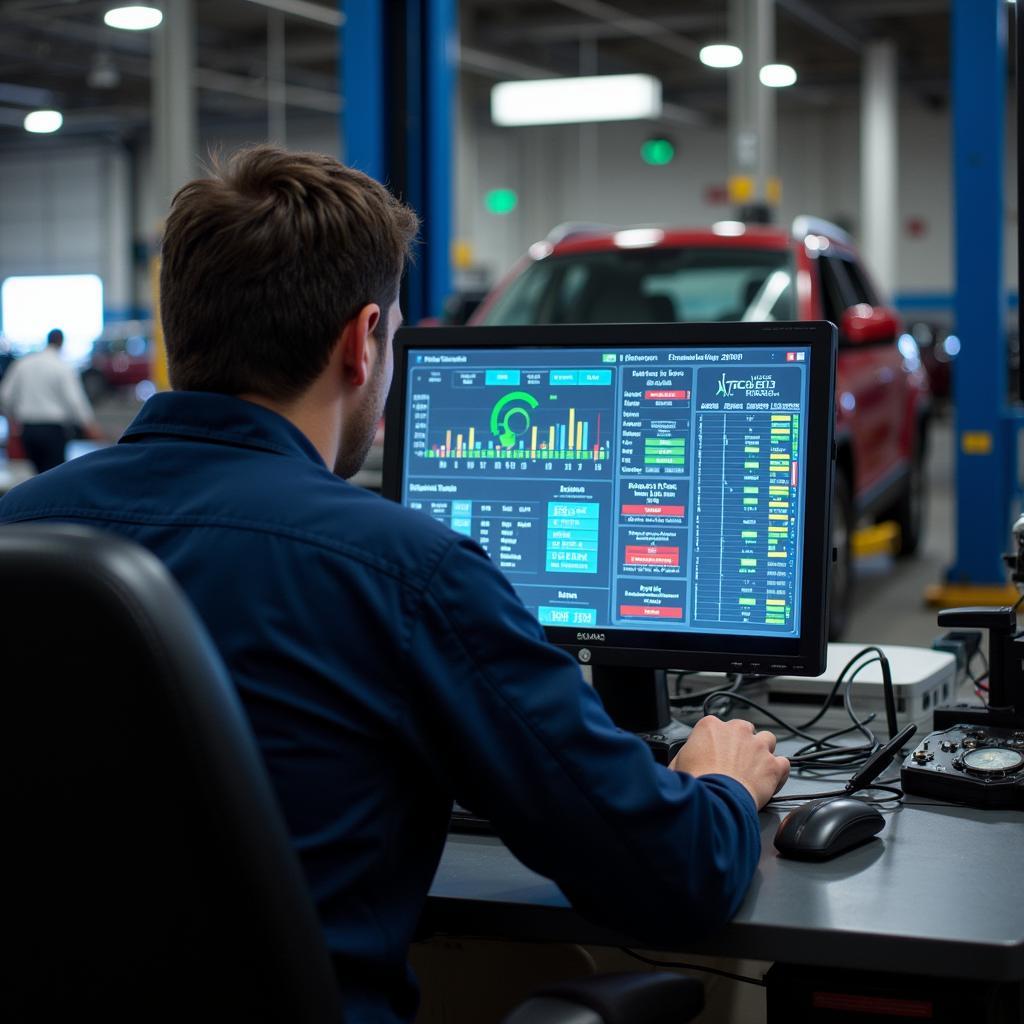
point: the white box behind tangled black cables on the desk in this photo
(923, 680)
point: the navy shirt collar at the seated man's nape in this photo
(220, 418)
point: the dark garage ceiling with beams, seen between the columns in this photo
(60, 54)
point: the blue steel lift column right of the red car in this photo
(985, 487)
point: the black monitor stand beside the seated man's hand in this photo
(637, 700)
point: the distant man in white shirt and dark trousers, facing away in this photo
(44, 396)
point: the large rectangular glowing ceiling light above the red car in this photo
(574, 101)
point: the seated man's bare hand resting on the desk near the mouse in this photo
(734, 749)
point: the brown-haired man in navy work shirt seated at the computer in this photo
(387, 665)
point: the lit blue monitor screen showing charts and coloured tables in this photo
(655, 489)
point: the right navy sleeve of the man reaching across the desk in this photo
(527, 743)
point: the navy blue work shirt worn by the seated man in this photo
(389, 667)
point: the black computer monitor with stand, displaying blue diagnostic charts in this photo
(659, 495)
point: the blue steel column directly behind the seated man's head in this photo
(399, 80)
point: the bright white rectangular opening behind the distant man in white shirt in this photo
(30, 308)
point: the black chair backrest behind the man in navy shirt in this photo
(147, 871)
